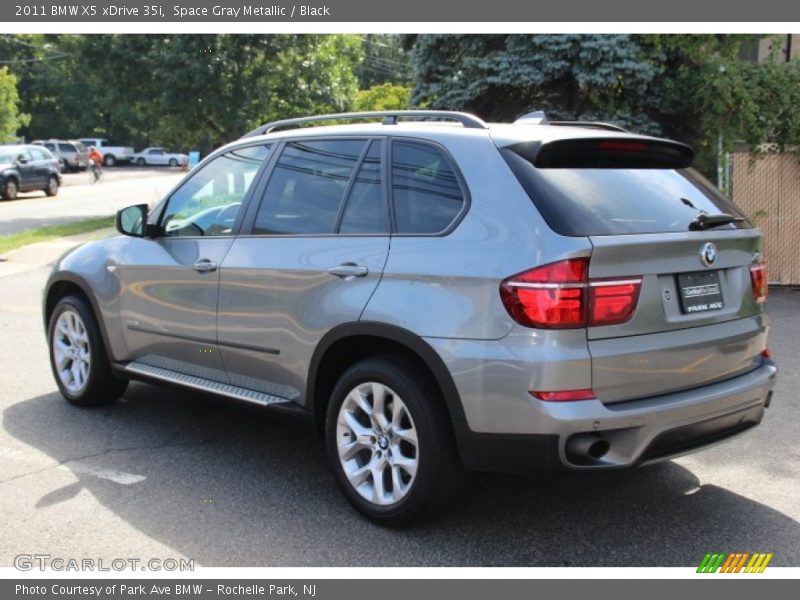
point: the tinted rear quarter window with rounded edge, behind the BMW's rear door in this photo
(427, 195)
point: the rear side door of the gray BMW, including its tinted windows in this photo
(317, 245)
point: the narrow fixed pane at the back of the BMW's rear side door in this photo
(365, 211)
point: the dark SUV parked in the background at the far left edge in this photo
(27, 168)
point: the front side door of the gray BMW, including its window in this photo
(171, 284)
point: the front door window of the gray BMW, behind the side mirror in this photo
(209, 201)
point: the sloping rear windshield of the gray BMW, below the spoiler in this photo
(614, 200)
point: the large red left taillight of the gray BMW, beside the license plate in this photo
(560, 295)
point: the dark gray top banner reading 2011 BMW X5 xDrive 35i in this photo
(441, 11)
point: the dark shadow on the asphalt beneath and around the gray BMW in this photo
(231, 485)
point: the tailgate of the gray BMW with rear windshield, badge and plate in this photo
(698, 316)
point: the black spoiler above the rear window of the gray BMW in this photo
(606, 153)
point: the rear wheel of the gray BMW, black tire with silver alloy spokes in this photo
(420, 478)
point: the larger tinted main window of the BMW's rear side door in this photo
(307, 186)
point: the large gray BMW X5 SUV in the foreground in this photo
(437, 294)
